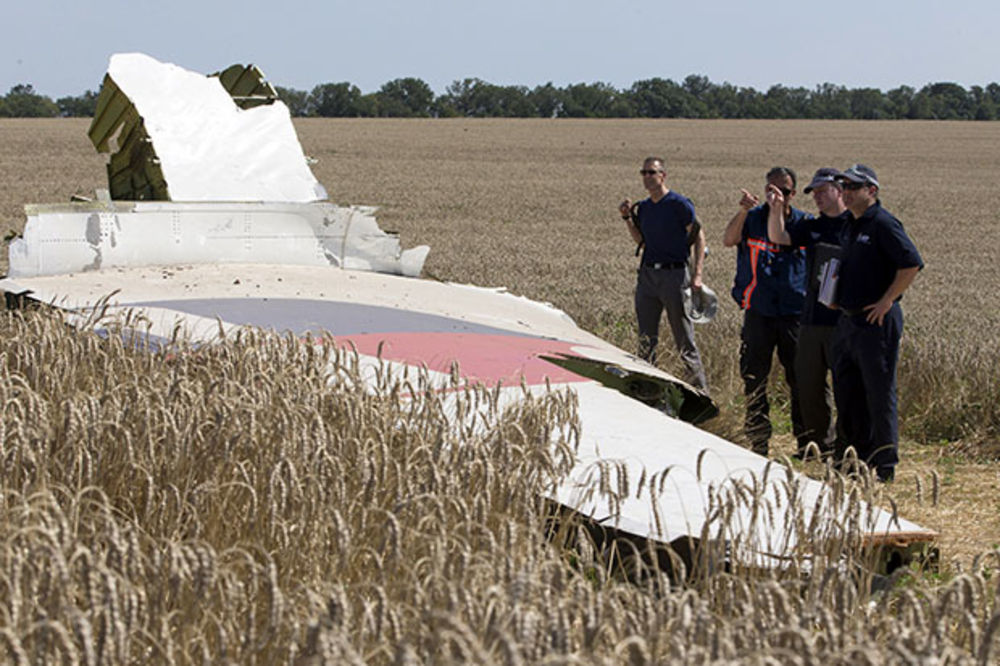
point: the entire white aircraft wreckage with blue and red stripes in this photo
(215, 221)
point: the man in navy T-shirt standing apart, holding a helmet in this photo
(664, 225)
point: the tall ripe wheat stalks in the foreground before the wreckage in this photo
(156, 510)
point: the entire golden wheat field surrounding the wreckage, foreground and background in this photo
(155, 510)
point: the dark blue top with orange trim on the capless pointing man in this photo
(770, 278)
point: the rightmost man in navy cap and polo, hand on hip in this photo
(878, 263)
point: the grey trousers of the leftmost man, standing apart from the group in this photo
(657, 290)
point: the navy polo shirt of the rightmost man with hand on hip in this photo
(874, 247)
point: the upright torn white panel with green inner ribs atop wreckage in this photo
(178, 135)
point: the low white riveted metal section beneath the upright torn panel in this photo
(80, 237)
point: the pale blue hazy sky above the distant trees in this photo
(62, 47)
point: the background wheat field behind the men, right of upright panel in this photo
(531, 205)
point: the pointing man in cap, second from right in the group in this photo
(813, 354)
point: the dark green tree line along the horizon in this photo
(694, 97)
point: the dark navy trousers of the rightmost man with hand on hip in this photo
(864, 385)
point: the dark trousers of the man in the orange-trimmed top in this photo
(760, 337)
